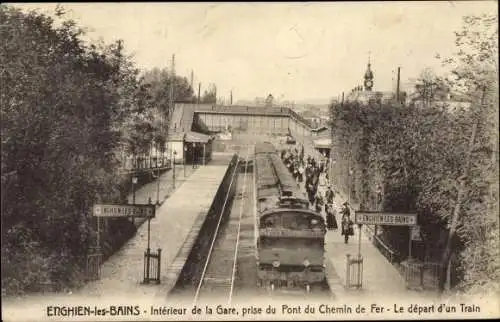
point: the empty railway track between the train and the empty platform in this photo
(218, 276)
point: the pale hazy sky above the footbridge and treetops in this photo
(295, 51)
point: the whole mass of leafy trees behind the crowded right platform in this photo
(438, 160)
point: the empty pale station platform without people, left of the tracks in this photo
(122, 273)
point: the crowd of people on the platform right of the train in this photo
(313, 174)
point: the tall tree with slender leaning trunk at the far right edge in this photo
(475, 215)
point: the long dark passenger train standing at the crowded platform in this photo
(291, 237)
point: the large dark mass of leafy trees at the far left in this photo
(63, 105)
